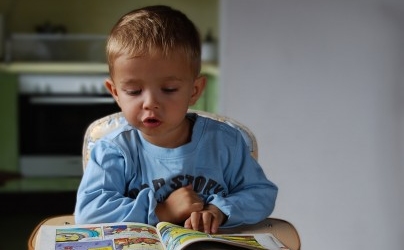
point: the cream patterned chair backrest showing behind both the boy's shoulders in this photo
(104, 125)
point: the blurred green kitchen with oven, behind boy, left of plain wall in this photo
(52, 69)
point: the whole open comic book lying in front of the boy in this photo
(165, 236)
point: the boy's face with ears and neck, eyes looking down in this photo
(154, 94)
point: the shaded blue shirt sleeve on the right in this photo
(251, 196)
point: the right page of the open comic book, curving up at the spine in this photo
(176, 237)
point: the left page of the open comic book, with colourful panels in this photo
(110, 236)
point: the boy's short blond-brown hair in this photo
(154, 29)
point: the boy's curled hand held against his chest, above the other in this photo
(179, 205)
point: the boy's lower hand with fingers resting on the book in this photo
(207, 220)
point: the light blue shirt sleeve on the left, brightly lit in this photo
(101, 195)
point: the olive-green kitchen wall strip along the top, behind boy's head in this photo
(95, 16)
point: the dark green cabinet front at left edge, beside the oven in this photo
(8, 122)
